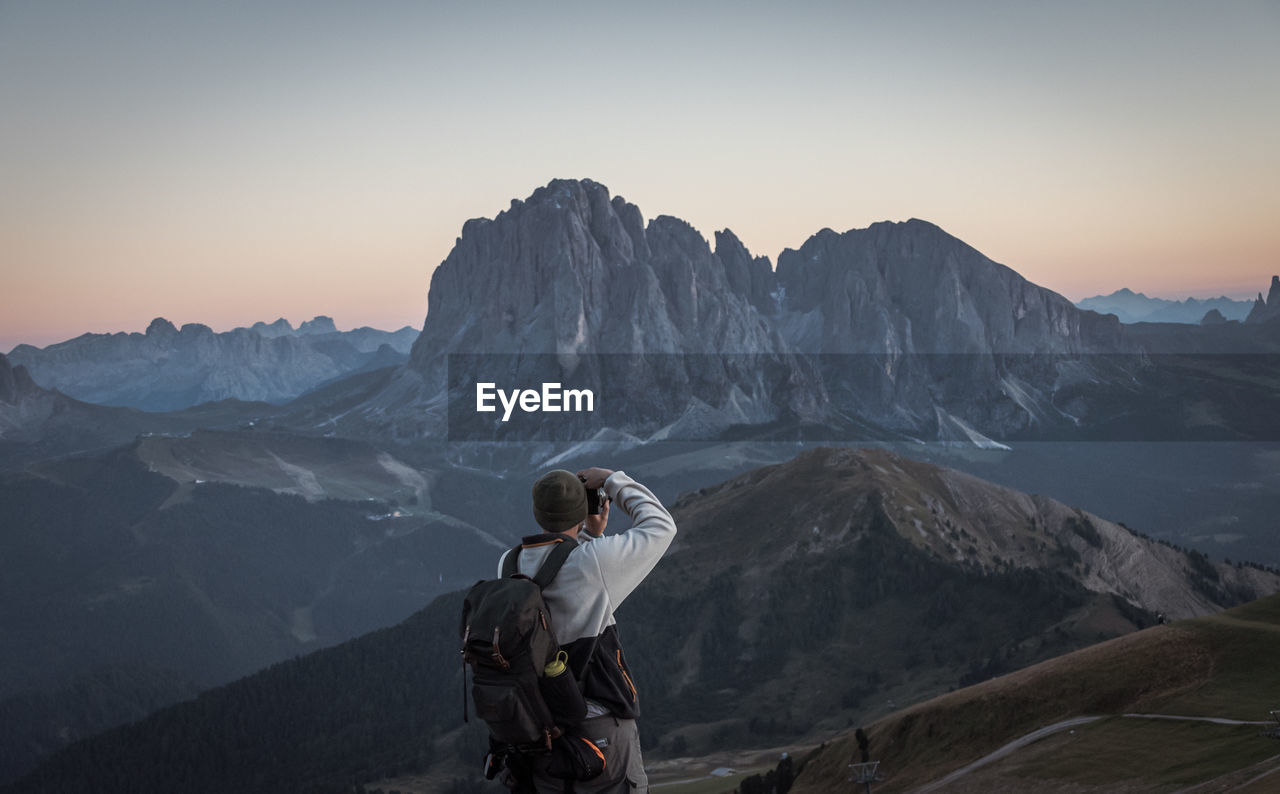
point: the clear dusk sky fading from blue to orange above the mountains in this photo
(234, 162)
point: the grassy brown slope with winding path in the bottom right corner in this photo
(1210, 679)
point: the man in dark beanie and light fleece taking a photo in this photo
(596, 578)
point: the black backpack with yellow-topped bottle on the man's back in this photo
(509, 644)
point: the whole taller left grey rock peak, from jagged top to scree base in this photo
(574, 272)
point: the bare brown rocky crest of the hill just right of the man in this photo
(838, 496)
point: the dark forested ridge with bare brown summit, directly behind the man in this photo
(797, 599)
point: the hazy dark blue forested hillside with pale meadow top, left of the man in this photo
(138, 578)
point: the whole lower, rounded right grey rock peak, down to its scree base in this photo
(911, 321)
